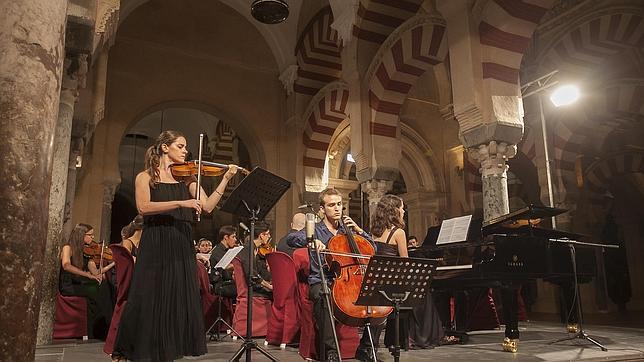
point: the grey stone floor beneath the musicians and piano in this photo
(624, 344)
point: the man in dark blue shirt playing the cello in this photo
(330, 201)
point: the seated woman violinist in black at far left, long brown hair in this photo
(80, 276)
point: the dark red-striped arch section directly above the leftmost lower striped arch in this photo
(318, 54)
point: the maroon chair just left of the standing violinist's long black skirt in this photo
(124, 269)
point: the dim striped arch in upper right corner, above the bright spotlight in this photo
(589, 43)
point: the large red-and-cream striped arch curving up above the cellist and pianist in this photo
(411, 50)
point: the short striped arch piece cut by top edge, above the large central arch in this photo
(379, 18)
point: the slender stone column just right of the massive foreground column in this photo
(73, 79)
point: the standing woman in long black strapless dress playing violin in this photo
(163, 318)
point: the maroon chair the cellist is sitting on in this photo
(347, 336)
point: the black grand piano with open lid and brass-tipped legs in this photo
(503, 253)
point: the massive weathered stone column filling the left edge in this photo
(32, 39)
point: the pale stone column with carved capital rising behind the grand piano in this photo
(493, 157)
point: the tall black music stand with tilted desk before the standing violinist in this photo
(253, 198)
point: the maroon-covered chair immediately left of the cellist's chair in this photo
(283, 323)
